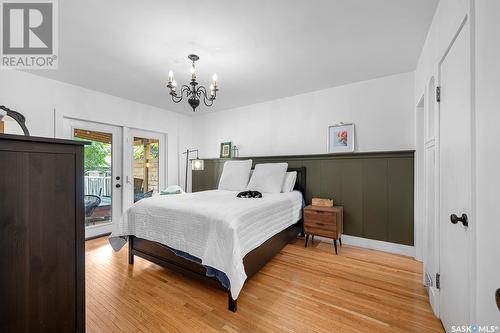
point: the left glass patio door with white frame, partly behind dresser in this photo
(102, 173)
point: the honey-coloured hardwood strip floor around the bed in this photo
(301, 290)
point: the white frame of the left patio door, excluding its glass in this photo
(69, 124)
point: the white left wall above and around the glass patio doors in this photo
(36, 98)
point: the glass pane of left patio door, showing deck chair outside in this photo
(98, 185)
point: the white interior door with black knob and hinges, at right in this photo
(455, 177)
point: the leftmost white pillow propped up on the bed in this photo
(235, 175)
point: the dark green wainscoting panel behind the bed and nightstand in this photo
(376, 189)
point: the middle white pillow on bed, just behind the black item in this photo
(268, 177)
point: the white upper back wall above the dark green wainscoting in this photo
(382, 110)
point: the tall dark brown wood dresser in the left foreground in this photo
(42, 250)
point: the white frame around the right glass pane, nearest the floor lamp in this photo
(128, 184)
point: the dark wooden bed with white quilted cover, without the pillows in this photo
(212, 235)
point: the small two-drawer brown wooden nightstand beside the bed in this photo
(324, 221)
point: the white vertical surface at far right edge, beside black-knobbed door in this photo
(488, 158)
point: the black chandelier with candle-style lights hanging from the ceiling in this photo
(193, 92)
